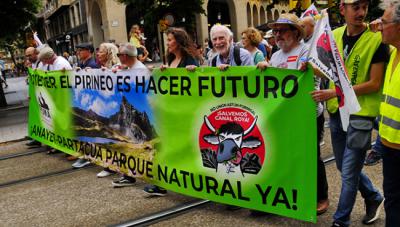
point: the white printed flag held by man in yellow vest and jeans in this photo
(325, 55)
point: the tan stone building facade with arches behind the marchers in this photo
(70, 22)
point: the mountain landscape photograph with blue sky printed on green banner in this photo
(109, 117)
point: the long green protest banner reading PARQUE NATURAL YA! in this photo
(240, 137)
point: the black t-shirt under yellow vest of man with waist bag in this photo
(381, 55)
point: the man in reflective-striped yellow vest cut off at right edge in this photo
(389, 127)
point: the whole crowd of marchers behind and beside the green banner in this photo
(369, 51)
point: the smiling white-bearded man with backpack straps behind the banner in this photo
(228, 54)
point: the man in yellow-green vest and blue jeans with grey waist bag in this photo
(365, 57)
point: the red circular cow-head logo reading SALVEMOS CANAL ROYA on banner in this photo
(230, 137)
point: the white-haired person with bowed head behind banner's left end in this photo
(51, 61)
